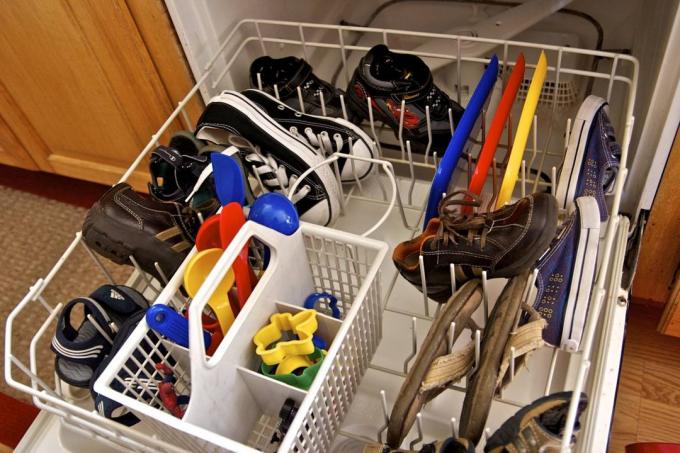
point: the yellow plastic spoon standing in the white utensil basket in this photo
(197, 270)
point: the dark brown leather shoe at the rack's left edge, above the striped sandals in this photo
(122, 224)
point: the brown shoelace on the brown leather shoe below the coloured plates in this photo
(456, 226)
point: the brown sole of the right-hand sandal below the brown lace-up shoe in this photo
(481, 386)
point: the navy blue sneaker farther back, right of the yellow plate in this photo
(592, 158)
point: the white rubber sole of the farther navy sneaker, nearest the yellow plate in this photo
(573, 158)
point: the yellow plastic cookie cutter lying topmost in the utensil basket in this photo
(302, 324)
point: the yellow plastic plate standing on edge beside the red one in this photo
(522, 134)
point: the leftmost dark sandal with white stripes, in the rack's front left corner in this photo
(80, 350)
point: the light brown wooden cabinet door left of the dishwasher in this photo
(84, 94)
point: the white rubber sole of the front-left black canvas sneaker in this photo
(267, 125)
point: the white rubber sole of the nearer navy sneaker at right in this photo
(583, 274)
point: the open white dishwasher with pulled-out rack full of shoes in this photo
(385, 319)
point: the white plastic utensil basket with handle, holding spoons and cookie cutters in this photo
(228, 395)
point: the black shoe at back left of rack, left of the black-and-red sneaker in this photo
(289, 73)
